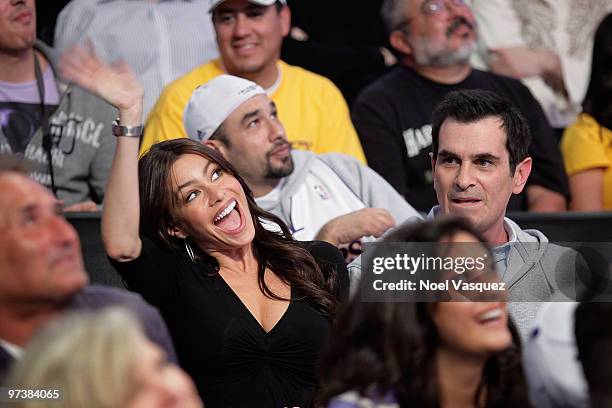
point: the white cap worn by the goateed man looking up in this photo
(211, 103)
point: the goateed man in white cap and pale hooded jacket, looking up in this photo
(330, 197)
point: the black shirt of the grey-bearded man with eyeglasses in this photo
(393, 119)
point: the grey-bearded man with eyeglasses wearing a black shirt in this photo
(434, 40)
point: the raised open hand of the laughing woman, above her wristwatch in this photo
(114, 83)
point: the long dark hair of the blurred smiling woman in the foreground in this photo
(382, 347)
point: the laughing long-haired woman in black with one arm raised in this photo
(248, 308)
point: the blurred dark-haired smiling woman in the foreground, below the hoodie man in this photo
(409, 354)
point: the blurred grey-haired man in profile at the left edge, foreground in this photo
(41, 268)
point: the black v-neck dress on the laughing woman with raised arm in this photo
(231, 358)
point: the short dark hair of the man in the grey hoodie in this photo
(472, 105)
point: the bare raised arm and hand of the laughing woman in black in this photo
(118, 86)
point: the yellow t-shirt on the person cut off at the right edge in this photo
(588, 145)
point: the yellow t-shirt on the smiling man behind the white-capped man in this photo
(311, 108)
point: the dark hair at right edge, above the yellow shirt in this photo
(598, 99)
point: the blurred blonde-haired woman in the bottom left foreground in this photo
(100, 360)
